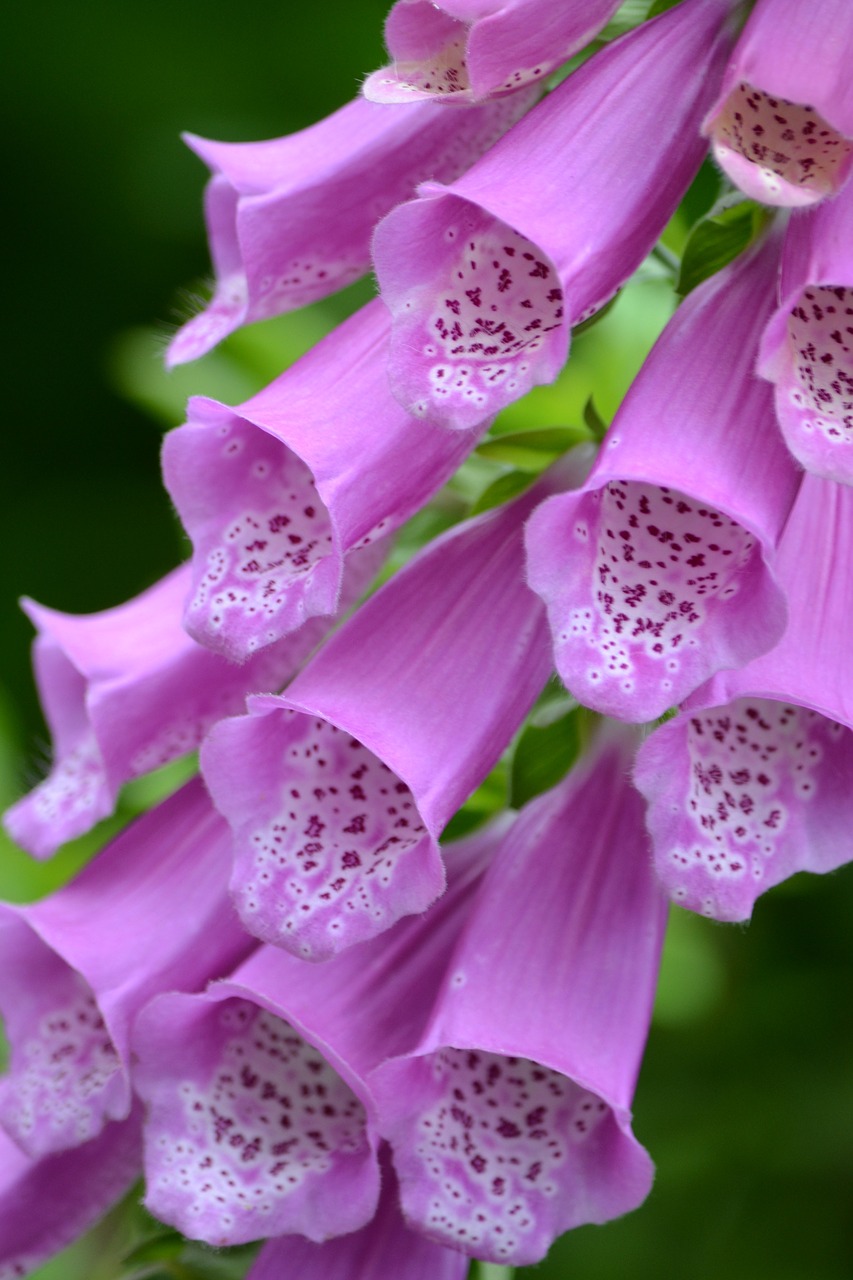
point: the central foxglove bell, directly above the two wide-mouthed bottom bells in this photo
(339, 792)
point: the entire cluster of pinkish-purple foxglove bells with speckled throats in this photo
(277, 995)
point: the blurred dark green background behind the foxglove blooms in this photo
(746, 1100)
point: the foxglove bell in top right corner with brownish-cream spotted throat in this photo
(783, 125)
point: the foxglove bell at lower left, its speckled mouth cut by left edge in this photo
(150, 913)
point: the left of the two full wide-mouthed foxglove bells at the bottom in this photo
(261, 1122)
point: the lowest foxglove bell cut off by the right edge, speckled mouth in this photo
(752, 781)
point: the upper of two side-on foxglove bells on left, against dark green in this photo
(290, 221)
